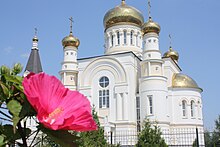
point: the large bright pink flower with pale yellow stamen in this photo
(57, 107)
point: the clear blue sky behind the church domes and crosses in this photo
(193, 24)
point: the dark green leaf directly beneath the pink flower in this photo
(63, 138)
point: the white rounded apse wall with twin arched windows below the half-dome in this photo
(191, 117)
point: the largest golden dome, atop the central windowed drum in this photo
(123, 14)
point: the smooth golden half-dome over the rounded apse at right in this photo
(183, 81)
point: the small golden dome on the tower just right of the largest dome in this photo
(151, 26)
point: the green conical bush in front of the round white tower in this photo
(150, 136)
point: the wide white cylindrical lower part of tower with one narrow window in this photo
(154, 87)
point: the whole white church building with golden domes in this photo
(133, 80)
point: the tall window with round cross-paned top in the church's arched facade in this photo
(104, 92)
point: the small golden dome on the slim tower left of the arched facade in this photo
(70, 41)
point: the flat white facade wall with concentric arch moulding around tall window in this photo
(121, 69)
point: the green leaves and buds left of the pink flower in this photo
(12, 99)
